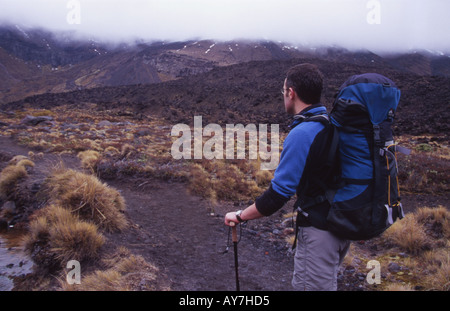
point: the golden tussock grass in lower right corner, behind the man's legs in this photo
(424, 236)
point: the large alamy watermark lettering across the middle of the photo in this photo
(191, 145)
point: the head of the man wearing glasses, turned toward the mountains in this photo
(302, 87)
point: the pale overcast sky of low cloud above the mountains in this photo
(371, 24)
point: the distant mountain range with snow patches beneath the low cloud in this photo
(36, 61)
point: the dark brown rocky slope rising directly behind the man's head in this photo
(250, 93)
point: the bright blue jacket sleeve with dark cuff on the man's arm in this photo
(290, 169)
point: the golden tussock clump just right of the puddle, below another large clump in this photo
(57, 234)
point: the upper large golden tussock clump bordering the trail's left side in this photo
(88, 197)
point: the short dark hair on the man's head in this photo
(307, 82)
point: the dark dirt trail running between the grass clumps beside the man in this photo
(177, 232)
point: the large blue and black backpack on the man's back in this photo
(365, 198)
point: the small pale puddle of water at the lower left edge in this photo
(13, 262)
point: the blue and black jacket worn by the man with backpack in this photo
(298, 159)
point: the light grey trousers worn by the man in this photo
(317, 259)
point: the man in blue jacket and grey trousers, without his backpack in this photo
(300, 171)
